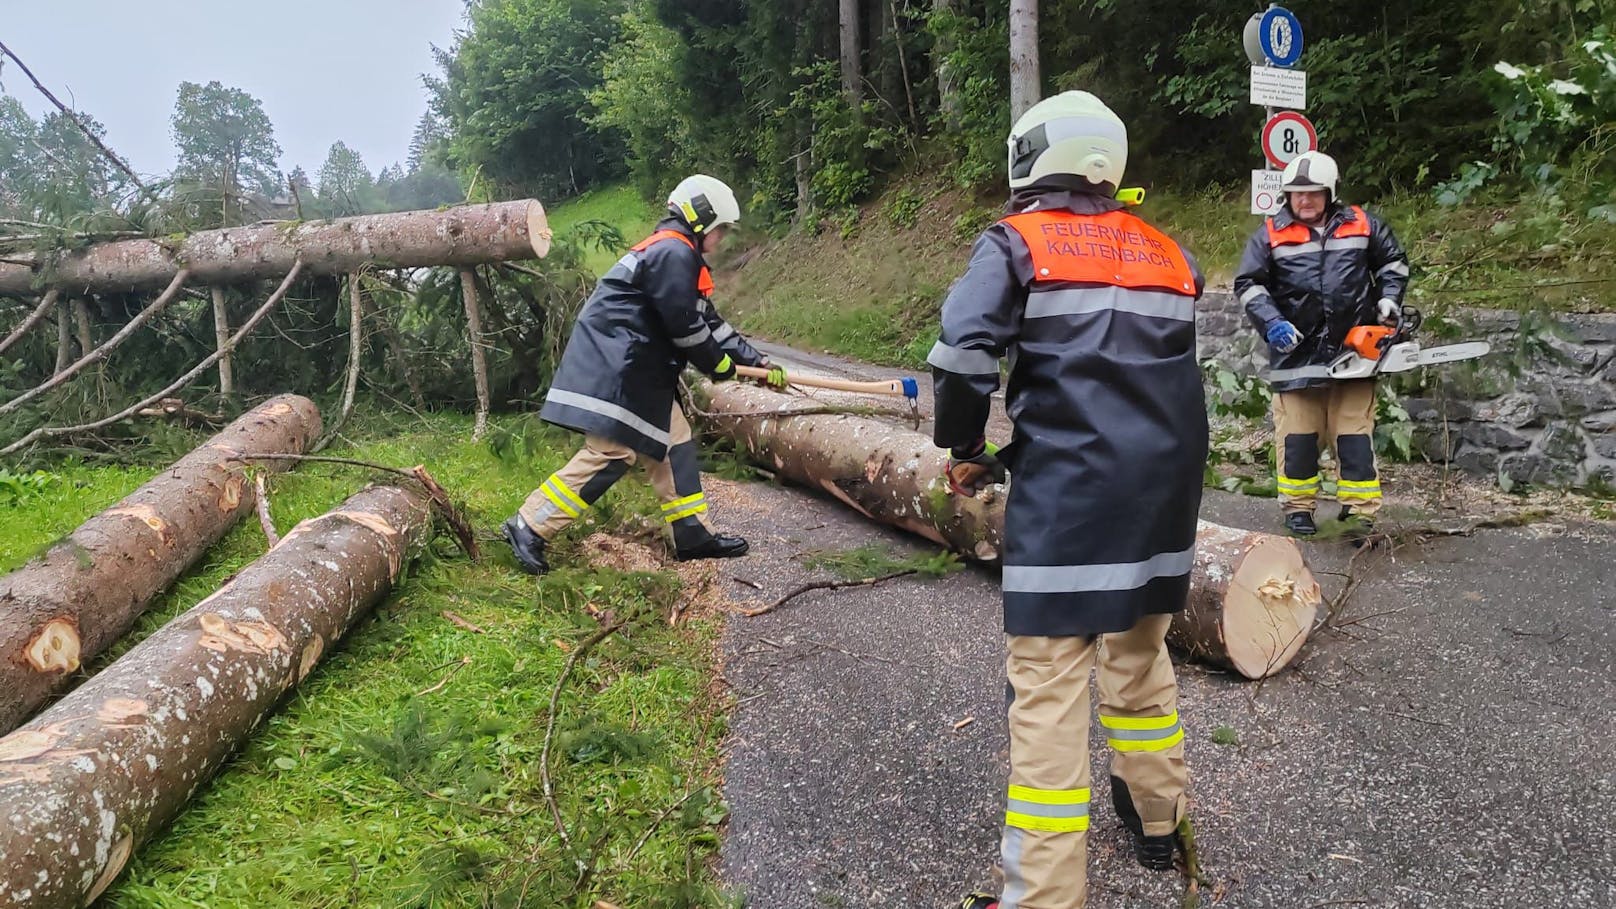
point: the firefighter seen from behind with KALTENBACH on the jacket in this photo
(1095, 310)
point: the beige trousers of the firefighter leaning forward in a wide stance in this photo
(571, 491)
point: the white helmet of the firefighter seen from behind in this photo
(1069, 135)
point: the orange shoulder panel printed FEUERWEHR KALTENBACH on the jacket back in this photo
(1114, 248)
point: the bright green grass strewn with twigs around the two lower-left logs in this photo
(405, 772)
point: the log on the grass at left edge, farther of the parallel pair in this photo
(86, 591)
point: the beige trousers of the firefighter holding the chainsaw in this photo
(1342, 416)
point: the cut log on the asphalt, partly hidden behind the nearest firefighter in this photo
(1253, 599)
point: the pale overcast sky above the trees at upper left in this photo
(326, 70)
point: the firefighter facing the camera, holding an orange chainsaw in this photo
(1310, 277)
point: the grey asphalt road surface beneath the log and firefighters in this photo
(1446, 742)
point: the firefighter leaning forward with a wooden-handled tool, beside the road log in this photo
(650, 316)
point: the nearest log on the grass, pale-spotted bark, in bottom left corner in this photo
(101, 772)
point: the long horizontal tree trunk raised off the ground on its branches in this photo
(465, 235)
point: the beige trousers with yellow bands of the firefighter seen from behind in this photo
(1045, 852)
